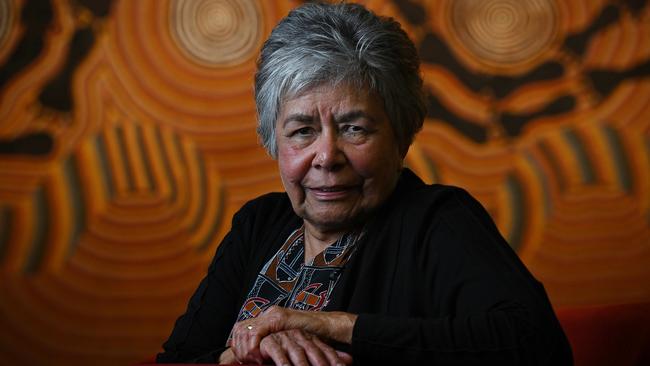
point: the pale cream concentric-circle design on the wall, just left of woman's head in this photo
(216, 32)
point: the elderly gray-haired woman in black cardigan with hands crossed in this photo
(359, 261)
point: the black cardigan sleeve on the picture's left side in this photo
(200, 334)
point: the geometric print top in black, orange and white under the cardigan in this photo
(287, 281)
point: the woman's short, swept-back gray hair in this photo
(333, 43)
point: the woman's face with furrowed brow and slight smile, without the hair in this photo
(337, 155)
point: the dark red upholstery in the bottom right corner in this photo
(609, 334)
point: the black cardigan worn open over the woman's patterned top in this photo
(433, 282)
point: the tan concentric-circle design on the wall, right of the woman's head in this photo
(504, 32)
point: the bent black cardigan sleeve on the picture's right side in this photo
(493, 310)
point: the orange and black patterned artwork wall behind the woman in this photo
(127, 142)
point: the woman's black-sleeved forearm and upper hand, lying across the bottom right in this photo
(505, 335)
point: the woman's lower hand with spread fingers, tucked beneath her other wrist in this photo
(295, 347)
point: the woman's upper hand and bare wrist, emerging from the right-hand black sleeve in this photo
(248, 334)
